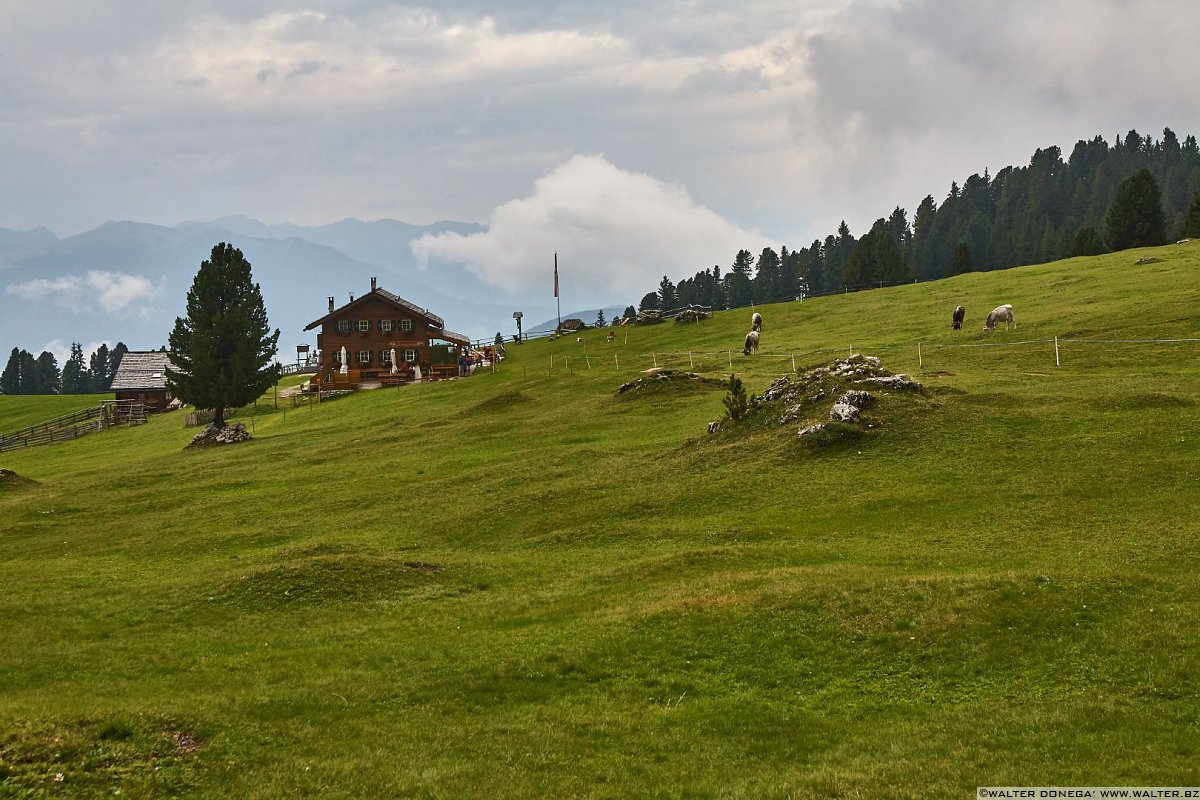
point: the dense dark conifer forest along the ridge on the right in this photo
(1137, 193)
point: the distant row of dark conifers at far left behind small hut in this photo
(26, 375)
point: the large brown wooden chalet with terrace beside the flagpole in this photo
(370, 328)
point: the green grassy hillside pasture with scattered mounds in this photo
(531, 585)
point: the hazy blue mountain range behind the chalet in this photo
(129, 281)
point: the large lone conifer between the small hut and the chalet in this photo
(223, 354)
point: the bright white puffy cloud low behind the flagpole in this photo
(615, 233)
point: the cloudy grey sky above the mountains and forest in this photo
(637, 140)
